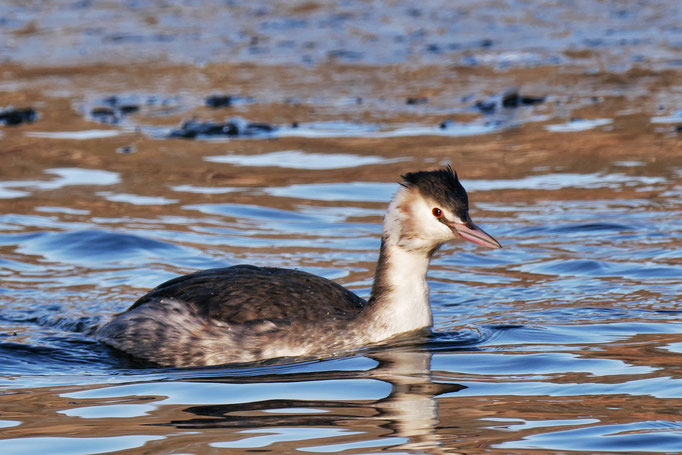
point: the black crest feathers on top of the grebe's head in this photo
(443, 187)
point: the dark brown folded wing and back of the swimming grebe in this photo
(246, 294)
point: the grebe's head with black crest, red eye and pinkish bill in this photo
(430, 209)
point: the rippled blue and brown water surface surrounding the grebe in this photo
(568, 339)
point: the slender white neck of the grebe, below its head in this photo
(399, 301)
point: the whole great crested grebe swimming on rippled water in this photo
(246, 313)
